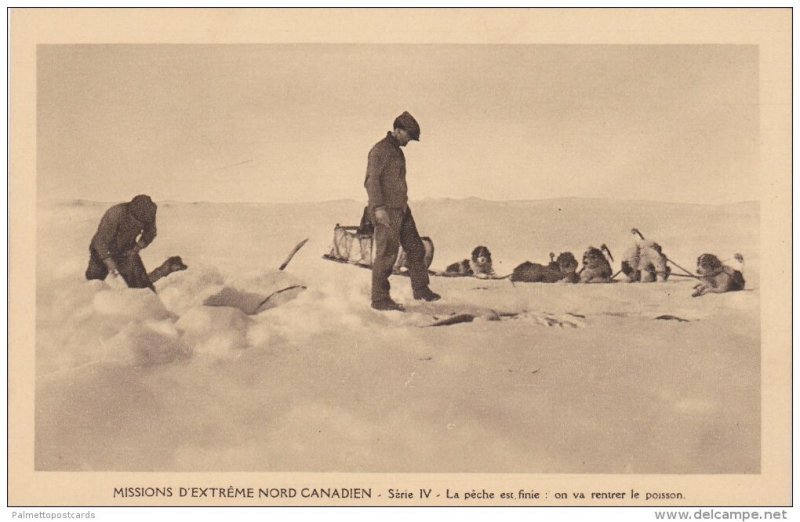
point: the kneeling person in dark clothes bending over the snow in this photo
(124, 230)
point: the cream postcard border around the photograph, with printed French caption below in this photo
(770, 29)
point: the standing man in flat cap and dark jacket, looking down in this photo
(389, 212)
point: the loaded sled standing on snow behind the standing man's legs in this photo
(355, 245)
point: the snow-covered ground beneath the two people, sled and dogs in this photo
(547, 378)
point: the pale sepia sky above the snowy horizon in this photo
(285, 123)
